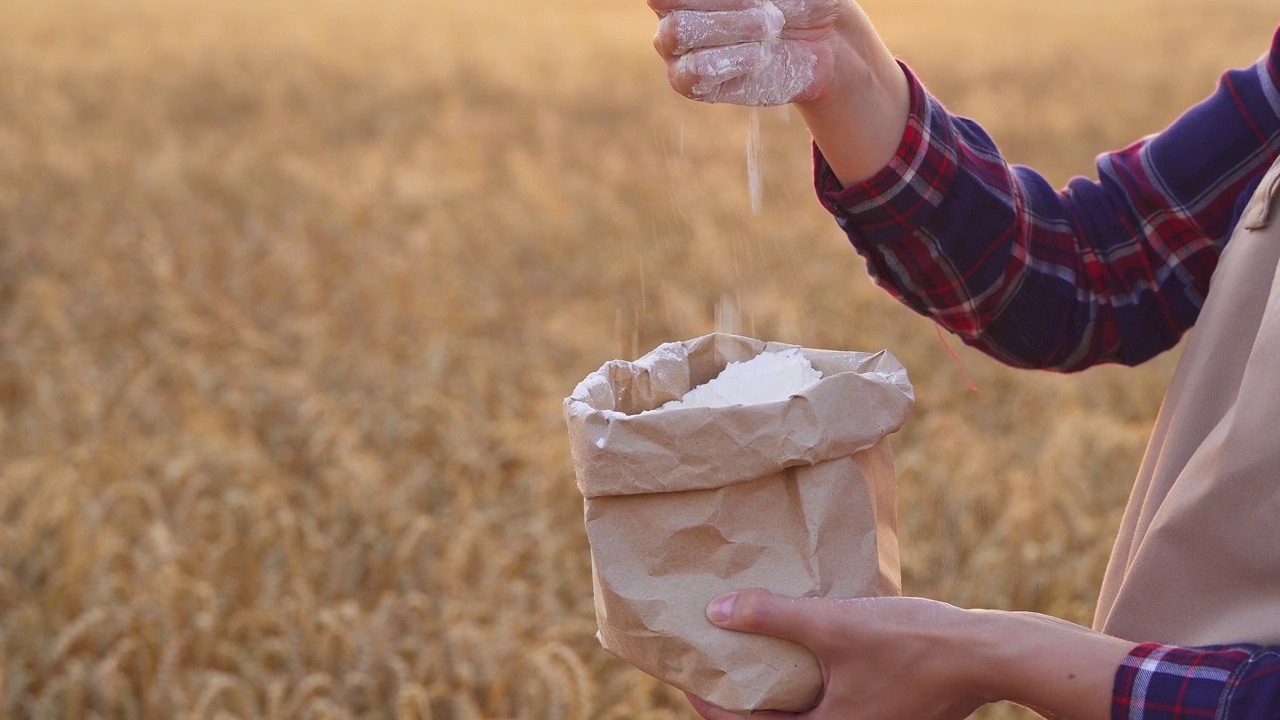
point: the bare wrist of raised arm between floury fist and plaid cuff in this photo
(860, 121)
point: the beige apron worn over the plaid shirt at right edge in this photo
(1197, 560)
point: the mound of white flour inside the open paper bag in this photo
(770, 377)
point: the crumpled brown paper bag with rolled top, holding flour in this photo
(684, 505)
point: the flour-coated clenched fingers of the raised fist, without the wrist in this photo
(749, 52)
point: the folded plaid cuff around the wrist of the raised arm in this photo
(903, 195)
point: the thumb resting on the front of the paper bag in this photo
(802, 621)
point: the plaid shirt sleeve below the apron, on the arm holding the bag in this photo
(1223, 683)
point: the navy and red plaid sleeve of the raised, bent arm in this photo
(1108, 271)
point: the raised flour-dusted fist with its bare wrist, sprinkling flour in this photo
(824, 56)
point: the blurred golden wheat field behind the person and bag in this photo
(291, 293)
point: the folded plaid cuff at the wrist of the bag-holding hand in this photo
(1159, 682)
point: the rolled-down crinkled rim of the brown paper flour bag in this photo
(621, 445)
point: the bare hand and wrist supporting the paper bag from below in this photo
(911, 659)
